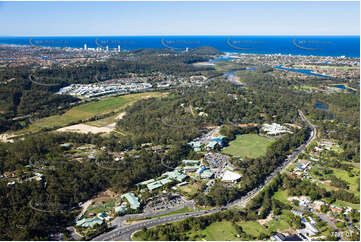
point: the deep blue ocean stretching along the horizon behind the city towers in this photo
(348, 46)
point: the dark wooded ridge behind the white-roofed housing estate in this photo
(22, 96)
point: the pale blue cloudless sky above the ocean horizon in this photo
(179, 18)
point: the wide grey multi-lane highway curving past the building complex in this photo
(122, 232)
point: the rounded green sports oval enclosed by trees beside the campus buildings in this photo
(248, 145)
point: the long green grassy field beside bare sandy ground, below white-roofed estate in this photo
(88, 110)
